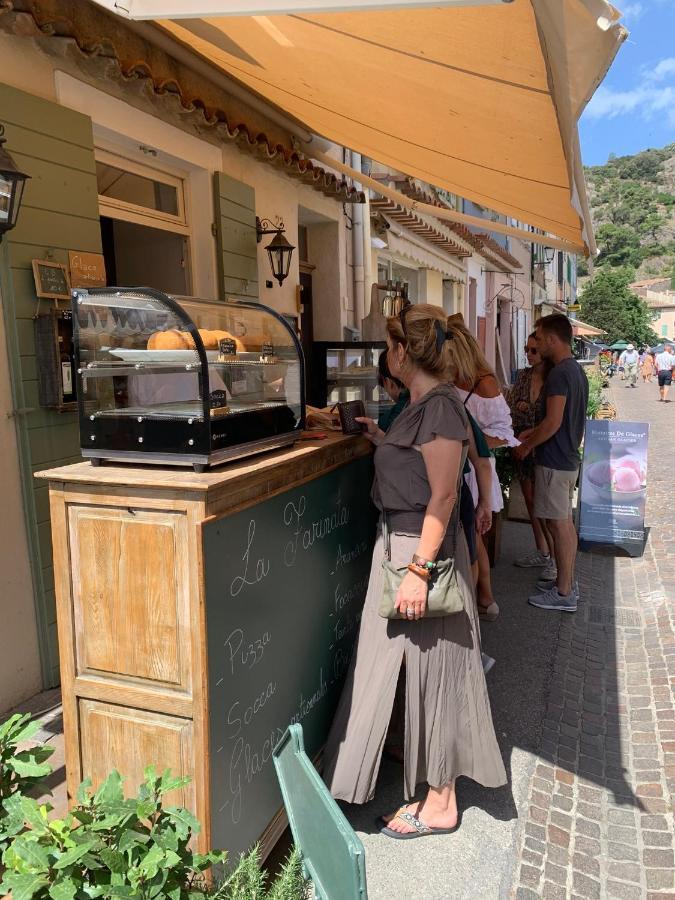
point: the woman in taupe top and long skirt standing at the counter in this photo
(448, 723)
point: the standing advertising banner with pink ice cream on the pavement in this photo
(614, 485)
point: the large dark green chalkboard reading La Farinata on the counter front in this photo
(285, 585)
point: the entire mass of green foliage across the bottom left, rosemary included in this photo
(109, 846)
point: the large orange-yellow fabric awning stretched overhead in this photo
(482, 101)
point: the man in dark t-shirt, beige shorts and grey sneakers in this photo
(556, 441)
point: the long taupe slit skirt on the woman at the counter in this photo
(448, 723)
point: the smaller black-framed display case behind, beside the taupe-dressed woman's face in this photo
(348, 371)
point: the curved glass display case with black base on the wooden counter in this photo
(181, 381)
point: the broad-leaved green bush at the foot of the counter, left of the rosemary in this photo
(107, 846)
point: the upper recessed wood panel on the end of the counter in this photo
(130, 595)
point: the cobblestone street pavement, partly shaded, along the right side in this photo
(600, 819)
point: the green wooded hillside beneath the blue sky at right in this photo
(632, 202)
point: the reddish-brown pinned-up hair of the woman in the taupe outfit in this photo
(422, 328)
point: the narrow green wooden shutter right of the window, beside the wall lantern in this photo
(236, 245)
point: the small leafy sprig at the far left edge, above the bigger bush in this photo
(21, 771)
